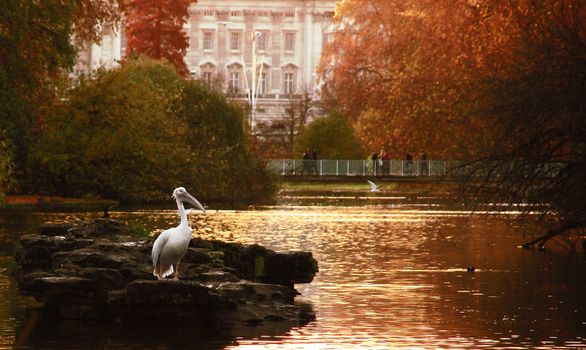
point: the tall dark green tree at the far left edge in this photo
(35, 48)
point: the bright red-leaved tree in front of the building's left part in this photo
(155, 29)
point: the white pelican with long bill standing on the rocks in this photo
(171, 245)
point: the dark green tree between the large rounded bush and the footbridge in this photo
(217, 136)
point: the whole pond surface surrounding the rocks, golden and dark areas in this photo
(391, 276)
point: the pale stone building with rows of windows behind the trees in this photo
(288, 38)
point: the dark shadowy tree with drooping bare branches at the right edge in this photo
(536, 104)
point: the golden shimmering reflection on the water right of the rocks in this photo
(392, 278)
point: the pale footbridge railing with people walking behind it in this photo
(360, 167)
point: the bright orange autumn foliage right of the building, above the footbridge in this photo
(406, 71)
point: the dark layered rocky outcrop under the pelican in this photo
(98, 270)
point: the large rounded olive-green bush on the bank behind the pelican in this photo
(114, 136)
